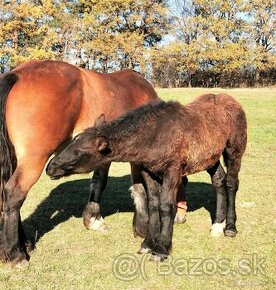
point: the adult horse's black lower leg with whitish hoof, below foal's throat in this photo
(92, 218)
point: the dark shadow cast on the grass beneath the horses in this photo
(68, 200)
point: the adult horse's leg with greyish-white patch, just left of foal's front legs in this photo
(139, 195)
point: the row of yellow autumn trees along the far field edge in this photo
(173, 43)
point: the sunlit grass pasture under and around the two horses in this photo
(67, 256)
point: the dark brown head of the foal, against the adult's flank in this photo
(82, 155)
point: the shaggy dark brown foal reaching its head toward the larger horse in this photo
(169, 141)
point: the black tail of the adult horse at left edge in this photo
(7, 152)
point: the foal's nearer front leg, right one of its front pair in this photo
(167, 211)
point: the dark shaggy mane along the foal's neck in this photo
(135, 118)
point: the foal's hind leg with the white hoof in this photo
(218, 178)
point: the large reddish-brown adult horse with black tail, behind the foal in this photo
(43, 105)
